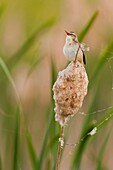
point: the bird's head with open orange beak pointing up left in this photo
(71, 37)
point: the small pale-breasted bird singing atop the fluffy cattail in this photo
(72, 49)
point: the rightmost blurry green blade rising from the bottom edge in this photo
(101, 153)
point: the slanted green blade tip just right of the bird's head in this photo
(88, 26)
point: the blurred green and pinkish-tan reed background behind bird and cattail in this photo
(31, 42)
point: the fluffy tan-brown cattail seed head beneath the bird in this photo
(70, 89)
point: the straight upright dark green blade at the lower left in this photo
(16, 141)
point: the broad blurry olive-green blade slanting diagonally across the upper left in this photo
(29, 42)
